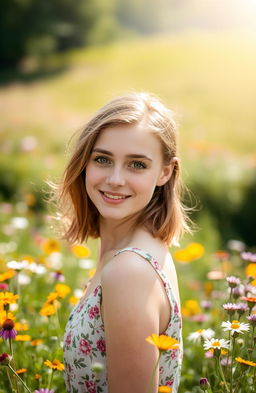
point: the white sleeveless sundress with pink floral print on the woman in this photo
(84, 341)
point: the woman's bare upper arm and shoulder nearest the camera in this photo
(131, 303)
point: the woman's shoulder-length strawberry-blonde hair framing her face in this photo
(165, 216)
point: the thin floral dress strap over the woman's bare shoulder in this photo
(156, 266)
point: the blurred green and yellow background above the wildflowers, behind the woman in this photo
(62, 59)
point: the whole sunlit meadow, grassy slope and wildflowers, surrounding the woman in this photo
(207, 79)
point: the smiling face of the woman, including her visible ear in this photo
(124, 168)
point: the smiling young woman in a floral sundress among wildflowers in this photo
(122, 186)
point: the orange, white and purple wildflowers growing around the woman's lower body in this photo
(38, 290)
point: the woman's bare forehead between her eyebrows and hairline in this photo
(127, 139)
